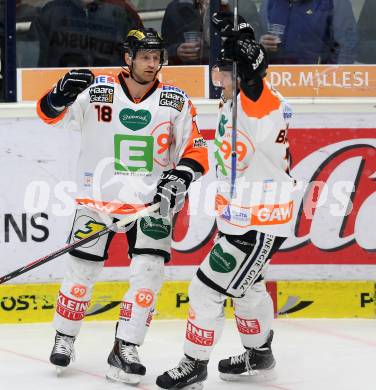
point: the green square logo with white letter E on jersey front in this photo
(133, 153)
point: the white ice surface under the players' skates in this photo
(310, 354)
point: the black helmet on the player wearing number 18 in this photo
(144, 39)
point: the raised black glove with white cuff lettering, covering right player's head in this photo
(249, 54)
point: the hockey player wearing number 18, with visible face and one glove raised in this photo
(139, 144)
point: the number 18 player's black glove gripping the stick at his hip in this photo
(172, 189)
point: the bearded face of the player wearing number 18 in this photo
(146, 65)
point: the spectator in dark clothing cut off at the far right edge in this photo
(367, 33)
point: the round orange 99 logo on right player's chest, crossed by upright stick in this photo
(243, 146)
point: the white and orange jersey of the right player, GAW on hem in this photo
(263, 198)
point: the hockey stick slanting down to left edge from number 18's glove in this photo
(114, 226)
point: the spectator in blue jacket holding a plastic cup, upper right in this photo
(309, 31)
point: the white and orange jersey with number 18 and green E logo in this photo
(127, 144)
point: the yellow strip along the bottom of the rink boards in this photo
(26, 303)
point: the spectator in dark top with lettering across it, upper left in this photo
(76, 33)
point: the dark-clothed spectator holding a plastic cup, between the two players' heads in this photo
(185, 29)
